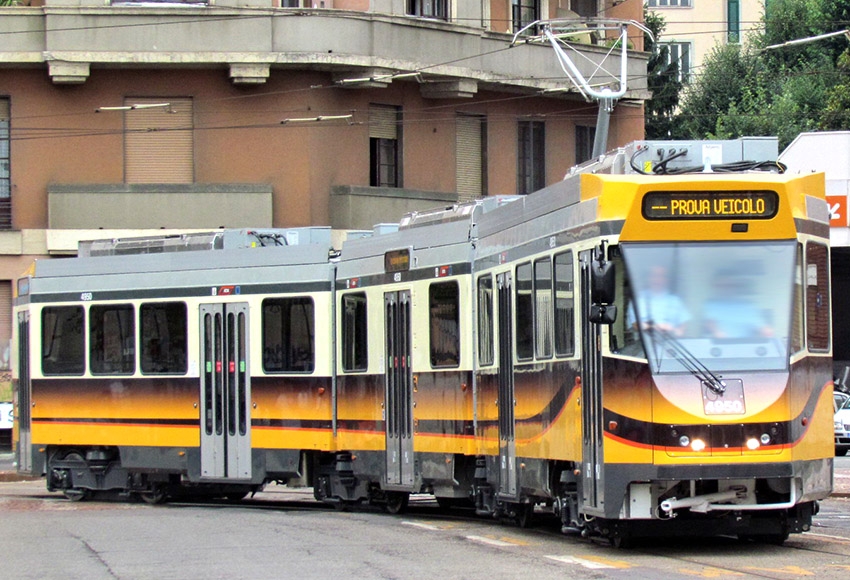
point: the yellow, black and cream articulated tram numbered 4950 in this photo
(641, 351)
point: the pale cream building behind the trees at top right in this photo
(695, 27)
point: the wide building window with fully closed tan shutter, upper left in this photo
(158, 140)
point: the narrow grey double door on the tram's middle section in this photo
(398, 399)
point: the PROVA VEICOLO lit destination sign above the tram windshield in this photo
(710, 205)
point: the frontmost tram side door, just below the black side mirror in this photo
(591, 395)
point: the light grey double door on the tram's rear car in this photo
(225, 392)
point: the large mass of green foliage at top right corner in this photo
(779, 91)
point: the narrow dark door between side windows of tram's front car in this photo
(507, 397)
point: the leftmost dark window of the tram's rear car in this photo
(62, 341)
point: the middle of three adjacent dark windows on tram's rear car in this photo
(112, 339)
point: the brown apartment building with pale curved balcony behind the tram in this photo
(122, 118)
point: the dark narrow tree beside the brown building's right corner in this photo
(663, 81)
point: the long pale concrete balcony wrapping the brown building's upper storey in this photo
(359, 48)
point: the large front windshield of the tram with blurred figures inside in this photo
(711, 307)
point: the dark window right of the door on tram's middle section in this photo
(444, 308)
